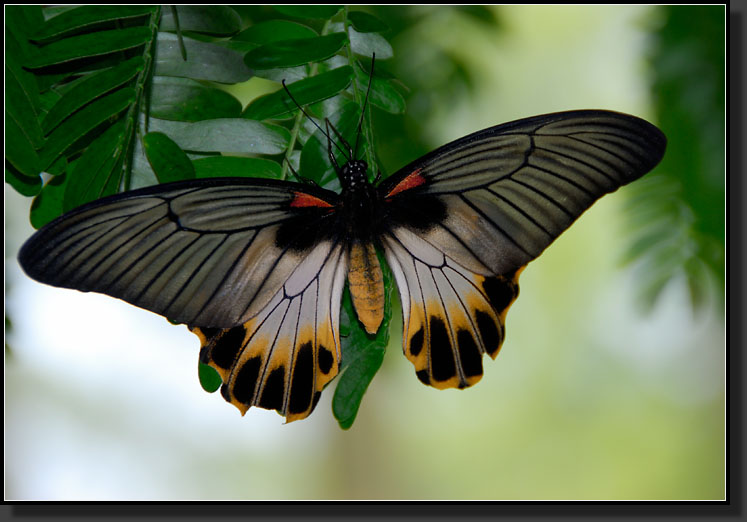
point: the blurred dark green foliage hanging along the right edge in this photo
(677, 212)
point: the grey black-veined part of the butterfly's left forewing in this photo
(197, 253)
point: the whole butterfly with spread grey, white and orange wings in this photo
(256, 267)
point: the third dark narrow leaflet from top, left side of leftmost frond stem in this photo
(89, 88)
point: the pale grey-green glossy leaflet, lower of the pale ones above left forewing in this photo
(225, 135)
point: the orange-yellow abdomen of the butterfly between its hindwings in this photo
(366, 284)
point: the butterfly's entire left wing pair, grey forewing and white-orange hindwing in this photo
(230, 258)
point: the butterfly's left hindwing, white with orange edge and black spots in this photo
(282, 358)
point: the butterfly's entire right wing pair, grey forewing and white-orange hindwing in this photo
(469, 216)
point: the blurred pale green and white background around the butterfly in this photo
(610, 384)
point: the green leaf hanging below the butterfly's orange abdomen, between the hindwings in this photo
(362, 355)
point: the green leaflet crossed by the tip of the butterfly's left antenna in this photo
(305, 92)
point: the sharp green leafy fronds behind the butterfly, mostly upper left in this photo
(103, 99)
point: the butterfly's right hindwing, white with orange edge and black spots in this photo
(451, 315)
